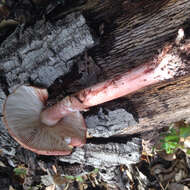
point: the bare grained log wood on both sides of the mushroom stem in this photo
(138, 31)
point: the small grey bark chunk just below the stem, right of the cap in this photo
(107, 123)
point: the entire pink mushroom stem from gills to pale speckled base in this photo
(164, 67)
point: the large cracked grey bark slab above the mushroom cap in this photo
(41, 53)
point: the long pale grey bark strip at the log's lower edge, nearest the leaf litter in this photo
(106, 155)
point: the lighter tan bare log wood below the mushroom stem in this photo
(156, 107)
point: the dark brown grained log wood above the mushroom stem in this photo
(134, 31)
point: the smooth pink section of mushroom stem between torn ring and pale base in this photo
(127, 83)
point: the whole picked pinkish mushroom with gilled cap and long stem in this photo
(55, 130)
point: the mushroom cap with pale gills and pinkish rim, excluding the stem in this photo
(22, 111)
